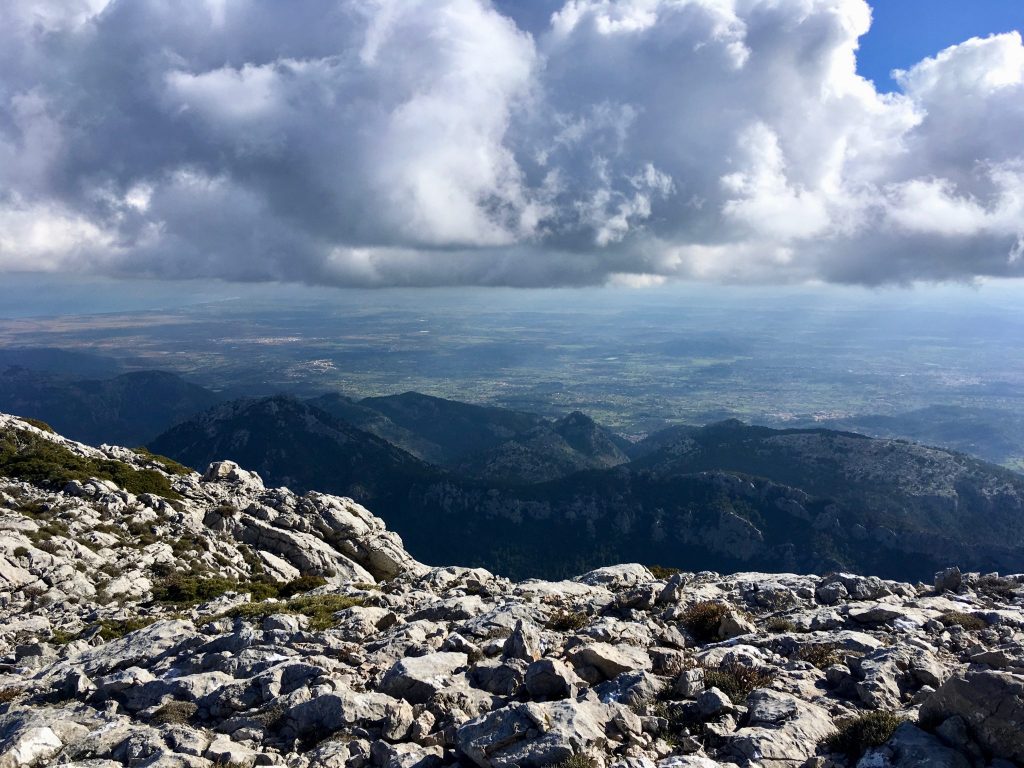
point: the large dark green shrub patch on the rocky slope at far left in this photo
(29, 457)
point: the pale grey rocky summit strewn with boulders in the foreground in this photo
(157, 617)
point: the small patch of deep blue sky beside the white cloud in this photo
(906, 31)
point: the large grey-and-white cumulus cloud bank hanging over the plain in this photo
(466, 142)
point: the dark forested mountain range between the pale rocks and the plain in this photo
(529, 496)
